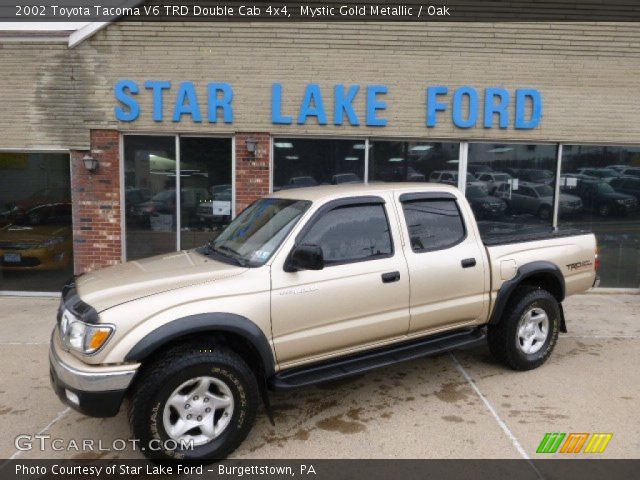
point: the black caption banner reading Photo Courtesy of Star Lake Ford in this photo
(586, 469)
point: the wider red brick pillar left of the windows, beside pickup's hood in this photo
(96, 201)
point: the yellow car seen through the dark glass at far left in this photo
(41, 241)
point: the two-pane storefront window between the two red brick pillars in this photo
(150, 170)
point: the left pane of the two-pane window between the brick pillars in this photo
(150, 195)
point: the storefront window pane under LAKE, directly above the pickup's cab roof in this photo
(308, 162)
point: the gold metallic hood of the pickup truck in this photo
(129, 281)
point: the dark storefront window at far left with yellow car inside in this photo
(36, 244)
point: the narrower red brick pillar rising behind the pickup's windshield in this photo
(252, 172)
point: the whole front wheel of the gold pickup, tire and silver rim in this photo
(194, 404)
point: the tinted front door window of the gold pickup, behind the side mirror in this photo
(352, 234)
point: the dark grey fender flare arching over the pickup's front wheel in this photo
(205, 322)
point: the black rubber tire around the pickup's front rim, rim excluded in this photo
(160, 379)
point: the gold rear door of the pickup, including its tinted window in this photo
(447, 263)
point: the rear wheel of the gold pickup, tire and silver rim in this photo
(526, 334)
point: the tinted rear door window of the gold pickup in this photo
(433, 224)
